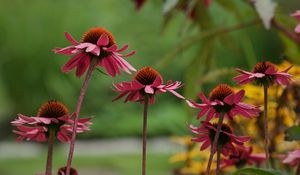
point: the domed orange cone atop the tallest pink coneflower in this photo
(94, 34)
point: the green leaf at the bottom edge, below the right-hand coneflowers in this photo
(256, 171)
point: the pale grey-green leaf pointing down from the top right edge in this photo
(265, 10)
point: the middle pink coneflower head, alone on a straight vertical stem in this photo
(147, 81)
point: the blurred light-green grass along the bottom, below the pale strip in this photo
(86, 165)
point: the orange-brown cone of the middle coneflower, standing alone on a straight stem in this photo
(146, 75)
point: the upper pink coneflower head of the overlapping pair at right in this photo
(222, 99)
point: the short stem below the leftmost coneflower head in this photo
(51, 139)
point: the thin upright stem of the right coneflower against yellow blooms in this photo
(266, 125)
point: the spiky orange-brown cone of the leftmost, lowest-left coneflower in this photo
(52, 109)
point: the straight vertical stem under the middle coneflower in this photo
(146, 102)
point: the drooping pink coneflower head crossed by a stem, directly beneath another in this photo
(227, 140)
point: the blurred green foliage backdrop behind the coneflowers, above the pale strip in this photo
(200, 49)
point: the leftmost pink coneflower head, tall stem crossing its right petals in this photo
(51, 115)
